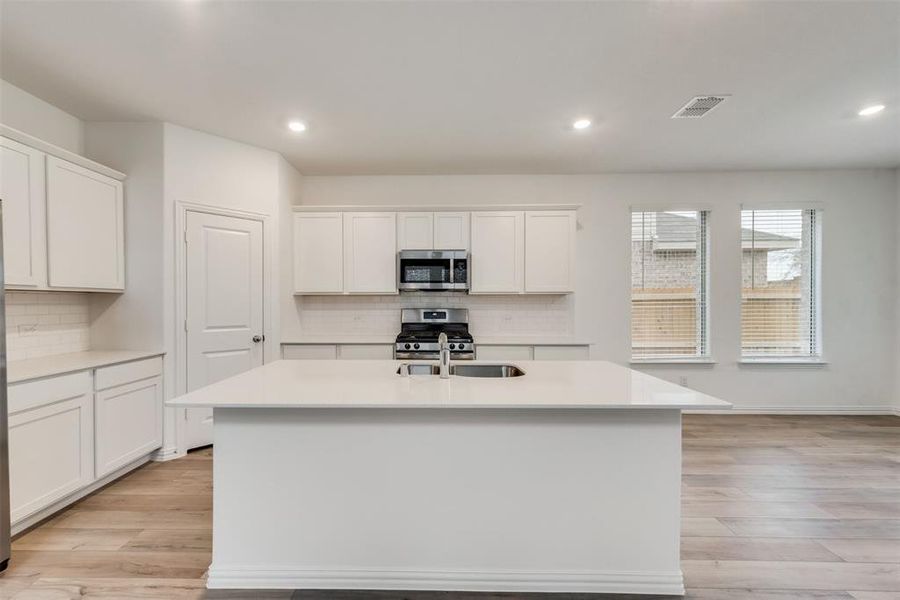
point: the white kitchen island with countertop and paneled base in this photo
(345, 475)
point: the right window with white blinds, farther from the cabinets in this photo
(780, 291)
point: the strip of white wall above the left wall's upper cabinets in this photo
(30, 114)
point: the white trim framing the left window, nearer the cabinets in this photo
(704, 250)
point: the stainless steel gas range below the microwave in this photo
(420, 328)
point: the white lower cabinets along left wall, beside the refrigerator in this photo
(66, 432)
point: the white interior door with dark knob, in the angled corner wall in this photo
(224, 306)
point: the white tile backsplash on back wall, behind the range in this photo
(488, 315)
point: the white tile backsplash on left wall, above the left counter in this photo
(46, 323)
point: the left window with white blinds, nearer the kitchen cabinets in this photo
(669, 255)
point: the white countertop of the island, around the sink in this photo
(375, 384)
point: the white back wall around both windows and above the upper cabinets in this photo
(859, 267)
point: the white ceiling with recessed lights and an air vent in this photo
(481, 87)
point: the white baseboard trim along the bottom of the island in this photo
(612, 582)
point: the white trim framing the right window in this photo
(817, 356)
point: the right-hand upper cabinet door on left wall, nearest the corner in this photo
(85, 228)
